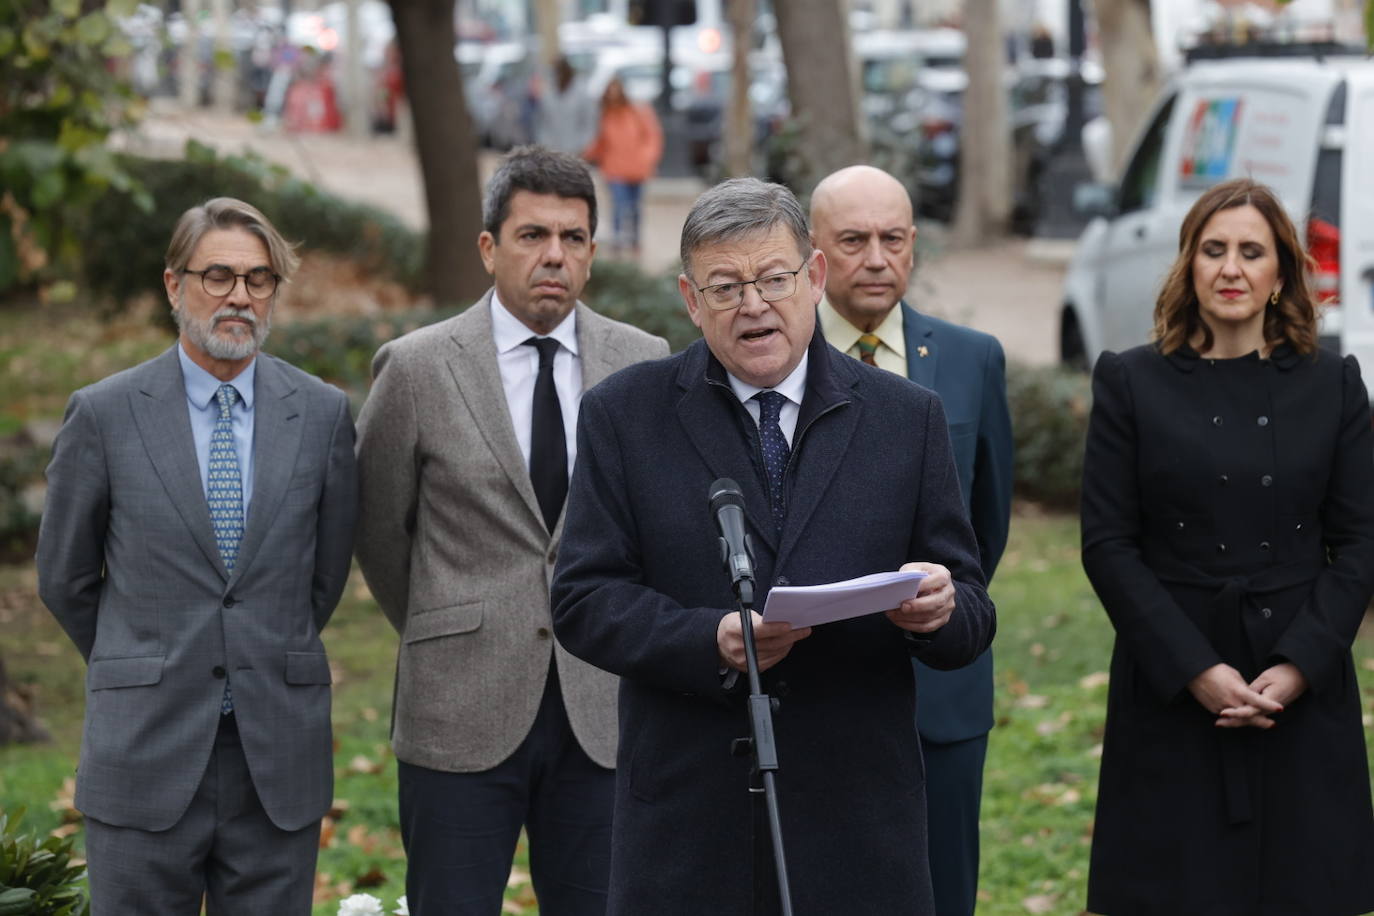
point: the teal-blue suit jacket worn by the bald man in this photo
(967, 369)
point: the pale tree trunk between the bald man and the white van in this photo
(986, 135)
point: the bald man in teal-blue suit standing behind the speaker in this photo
(861, 219)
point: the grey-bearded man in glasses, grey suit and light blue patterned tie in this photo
(197, 538)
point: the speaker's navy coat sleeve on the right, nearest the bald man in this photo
(943, 535)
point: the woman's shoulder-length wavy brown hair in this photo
(1294, 321)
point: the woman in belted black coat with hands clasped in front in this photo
(1229, 531)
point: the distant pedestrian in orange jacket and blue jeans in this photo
(627, 148)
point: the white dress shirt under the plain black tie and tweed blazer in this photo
(520, 369)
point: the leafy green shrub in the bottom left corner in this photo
(38, 877)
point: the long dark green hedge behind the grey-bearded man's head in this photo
(123, 252)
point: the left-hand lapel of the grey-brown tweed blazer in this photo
(479, 380)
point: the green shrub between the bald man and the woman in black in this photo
(1050, 424)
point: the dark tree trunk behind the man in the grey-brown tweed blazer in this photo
(446, 146)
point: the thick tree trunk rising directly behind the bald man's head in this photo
(822, 87)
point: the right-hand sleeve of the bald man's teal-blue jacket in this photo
(990, 506)
